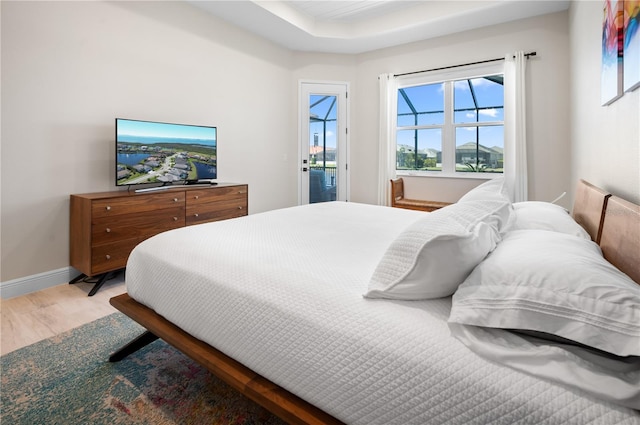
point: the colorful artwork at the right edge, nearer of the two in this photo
(631, 44)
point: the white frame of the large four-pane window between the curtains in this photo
(449, 126)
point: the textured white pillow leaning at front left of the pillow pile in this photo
(435, 254)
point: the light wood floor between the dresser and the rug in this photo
(40, 315)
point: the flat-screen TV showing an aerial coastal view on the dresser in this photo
(158, 152)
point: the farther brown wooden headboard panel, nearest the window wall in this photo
(588, 208)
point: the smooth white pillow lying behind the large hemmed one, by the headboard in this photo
(545, 216)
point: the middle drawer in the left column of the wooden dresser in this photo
(107, 230)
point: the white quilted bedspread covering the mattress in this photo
(282, 293)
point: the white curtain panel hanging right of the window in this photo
(515, 126)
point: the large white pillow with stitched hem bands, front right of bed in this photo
(553, 283)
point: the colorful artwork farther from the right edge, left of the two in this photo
(611, 73)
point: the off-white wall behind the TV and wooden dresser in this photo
(70, 68)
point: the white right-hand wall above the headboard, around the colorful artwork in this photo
(605, 139)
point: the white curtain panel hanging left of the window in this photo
(386, 147)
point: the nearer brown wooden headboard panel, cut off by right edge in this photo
(620, 236)
